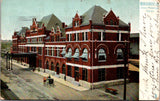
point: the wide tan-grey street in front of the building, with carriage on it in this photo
(28, 85)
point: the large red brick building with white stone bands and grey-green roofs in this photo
(89, 50)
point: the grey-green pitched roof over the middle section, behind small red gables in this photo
(51, 21)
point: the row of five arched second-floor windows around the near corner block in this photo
(101, 52)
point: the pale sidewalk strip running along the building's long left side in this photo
(79, 88)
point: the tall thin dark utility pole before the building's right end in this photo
(125, 68)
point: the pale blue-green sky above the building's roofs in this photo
(19, 13)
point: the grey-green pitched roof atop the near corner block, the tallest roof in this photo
(96, 14)
